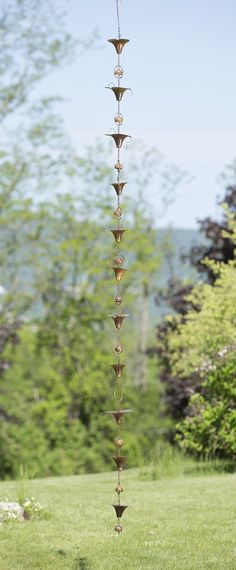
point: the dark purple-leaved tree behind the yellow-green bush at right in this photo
(219, 247)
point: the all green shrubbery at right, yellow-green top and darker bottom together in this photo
(204, 345)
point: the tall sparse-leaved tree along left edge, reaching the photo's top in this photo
(35, 158)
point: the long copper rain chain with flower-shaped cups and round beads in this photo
(118, 316)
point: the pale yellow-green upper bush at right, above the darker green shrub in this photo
(210, 330)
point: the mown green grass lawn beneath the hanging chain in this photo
(175, 523)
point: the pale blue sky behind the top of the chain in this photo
(180, 64)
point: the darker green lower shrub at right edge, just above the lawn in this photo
(210, 428)
